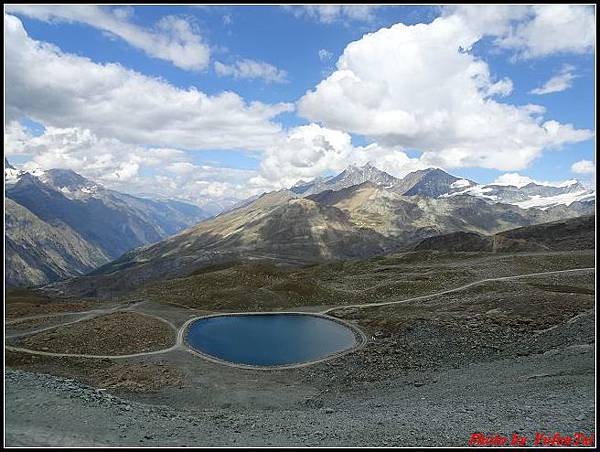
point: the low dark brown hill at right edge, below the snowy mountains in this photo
(562, 235)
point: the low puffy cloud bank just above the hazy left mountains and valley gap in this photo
(128, 168)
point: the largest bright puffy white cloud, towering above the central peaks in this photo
(449, 110)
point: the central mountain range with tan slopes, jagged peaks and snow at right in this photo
(351, 219)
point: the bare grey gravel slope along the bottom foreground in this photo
(552, 392)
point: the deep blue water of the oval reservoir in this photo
(269, 339)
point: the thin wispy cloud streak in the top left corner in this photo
(173, 38)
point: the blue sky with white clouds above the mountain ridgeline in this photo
(205, 103)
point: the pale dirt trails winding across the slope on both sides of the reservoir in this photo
(179, 332)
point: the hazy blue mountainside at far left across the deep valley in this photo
(105, 220)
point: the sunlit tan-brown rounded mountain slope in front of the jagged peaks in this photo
(277, 226)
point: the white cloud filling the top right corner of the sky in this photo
(533, 31)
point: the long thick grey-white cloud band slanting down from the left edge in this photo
(63, 90)
